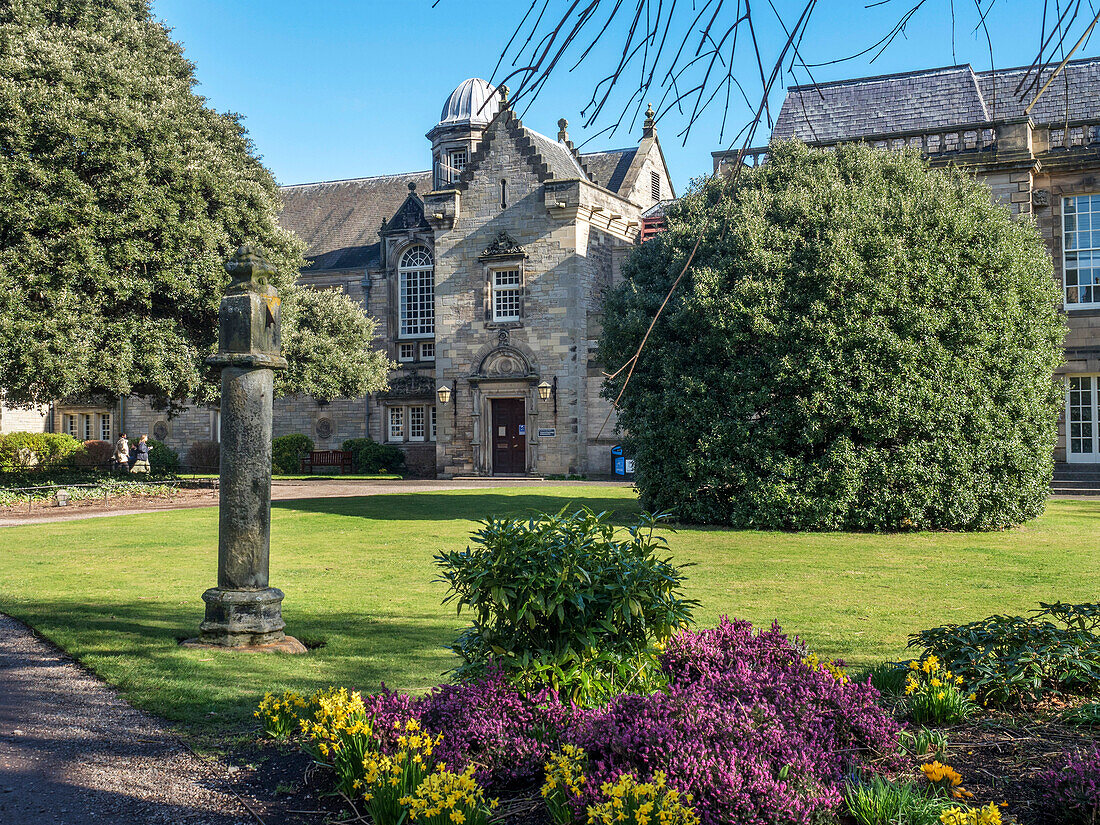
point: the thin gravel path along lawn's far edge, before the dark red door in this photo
(281, 491)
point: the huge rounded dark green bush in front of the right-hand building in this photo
(862, 343)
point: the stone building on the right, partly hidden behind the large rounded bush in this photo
(1043, 166)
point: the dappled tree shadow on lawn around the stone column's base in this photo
(135, 647)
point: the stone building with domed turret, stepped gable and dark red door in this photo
(486, 274)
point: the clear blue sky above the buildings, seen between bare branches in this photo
(337, 89)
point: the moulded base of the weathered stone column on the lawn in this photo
(246, 620)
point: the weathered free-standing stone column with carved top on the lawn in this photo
(244, 613)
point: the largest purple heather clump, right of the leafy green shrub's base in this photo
(754, 734)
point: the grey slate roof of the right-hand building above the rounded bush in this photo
(932, 100)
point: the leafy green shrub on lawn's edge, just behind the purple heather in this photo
(563, 601)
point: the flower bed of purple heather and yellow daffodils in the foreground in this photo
(751, 731)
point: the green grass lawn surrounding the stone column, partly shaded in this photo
(358, 573)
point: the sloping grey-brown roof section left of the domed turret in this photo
(339, 221)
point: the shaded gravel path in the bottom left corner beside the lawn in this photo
(73, 753)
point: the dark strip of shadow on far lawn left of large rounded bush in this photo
(471, 507)
